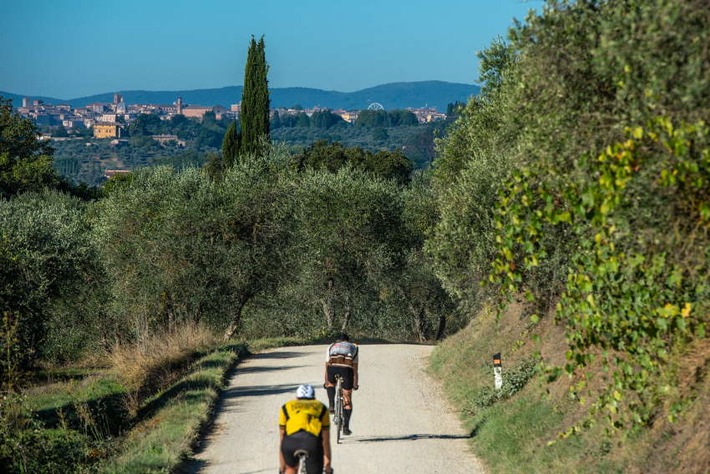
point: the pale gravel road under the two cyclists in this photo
(400, 423)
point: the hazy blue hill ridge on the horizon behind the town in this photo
(398, 95)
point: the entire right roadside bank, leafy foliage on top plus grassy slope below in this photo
(575, 205)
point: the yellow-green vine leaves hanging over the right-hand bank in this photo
(634, 301)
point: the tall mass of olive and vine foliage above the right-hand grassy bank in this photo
(580, 177)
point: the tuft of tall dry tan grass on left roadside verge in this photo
(154, 363)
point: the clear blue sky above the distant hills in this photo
(74, 48)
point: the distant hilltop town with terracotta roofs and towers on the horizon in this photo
(111, 120)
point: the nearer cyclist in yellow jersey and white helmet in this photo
(304, 423)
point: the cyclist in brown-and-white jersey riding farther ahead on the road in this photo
(342, 359)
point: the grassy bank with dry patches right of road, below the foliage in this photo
(518, 428)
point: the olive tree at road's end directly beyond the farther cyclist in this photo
(345, 240)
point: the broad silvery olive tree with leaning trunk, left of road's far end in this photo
(180, 247)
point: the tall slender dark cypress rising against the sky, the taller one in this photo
(254, 116)
